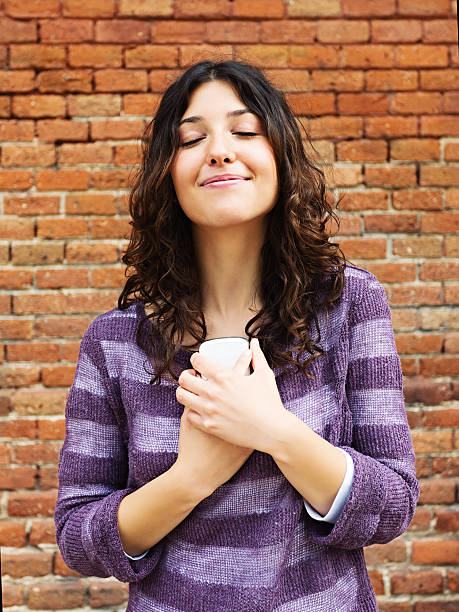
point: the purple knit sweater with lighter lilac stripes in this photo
(250, 546)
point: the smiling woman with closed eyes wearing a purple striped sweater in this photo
(234, 492)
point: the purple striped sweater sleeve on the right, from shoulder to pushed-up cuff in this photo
(384, 491)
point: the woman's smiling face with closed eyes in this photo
(218, 137)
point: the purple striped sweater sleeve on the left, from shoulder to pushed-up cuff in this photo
(93, 474)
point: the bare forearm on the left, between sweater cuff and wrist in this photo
(152, 511)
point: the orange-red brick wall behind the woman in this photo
(377, 84)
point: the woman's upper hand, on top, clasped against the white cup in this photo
(244, 410)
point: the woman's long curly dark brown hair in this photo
(302, 270)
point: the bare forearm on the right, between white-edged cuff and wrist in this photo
(313, 466)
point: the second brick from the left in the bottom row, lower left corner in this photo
(56, 596)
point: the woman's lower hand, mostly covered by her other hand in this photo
(207, 461)
